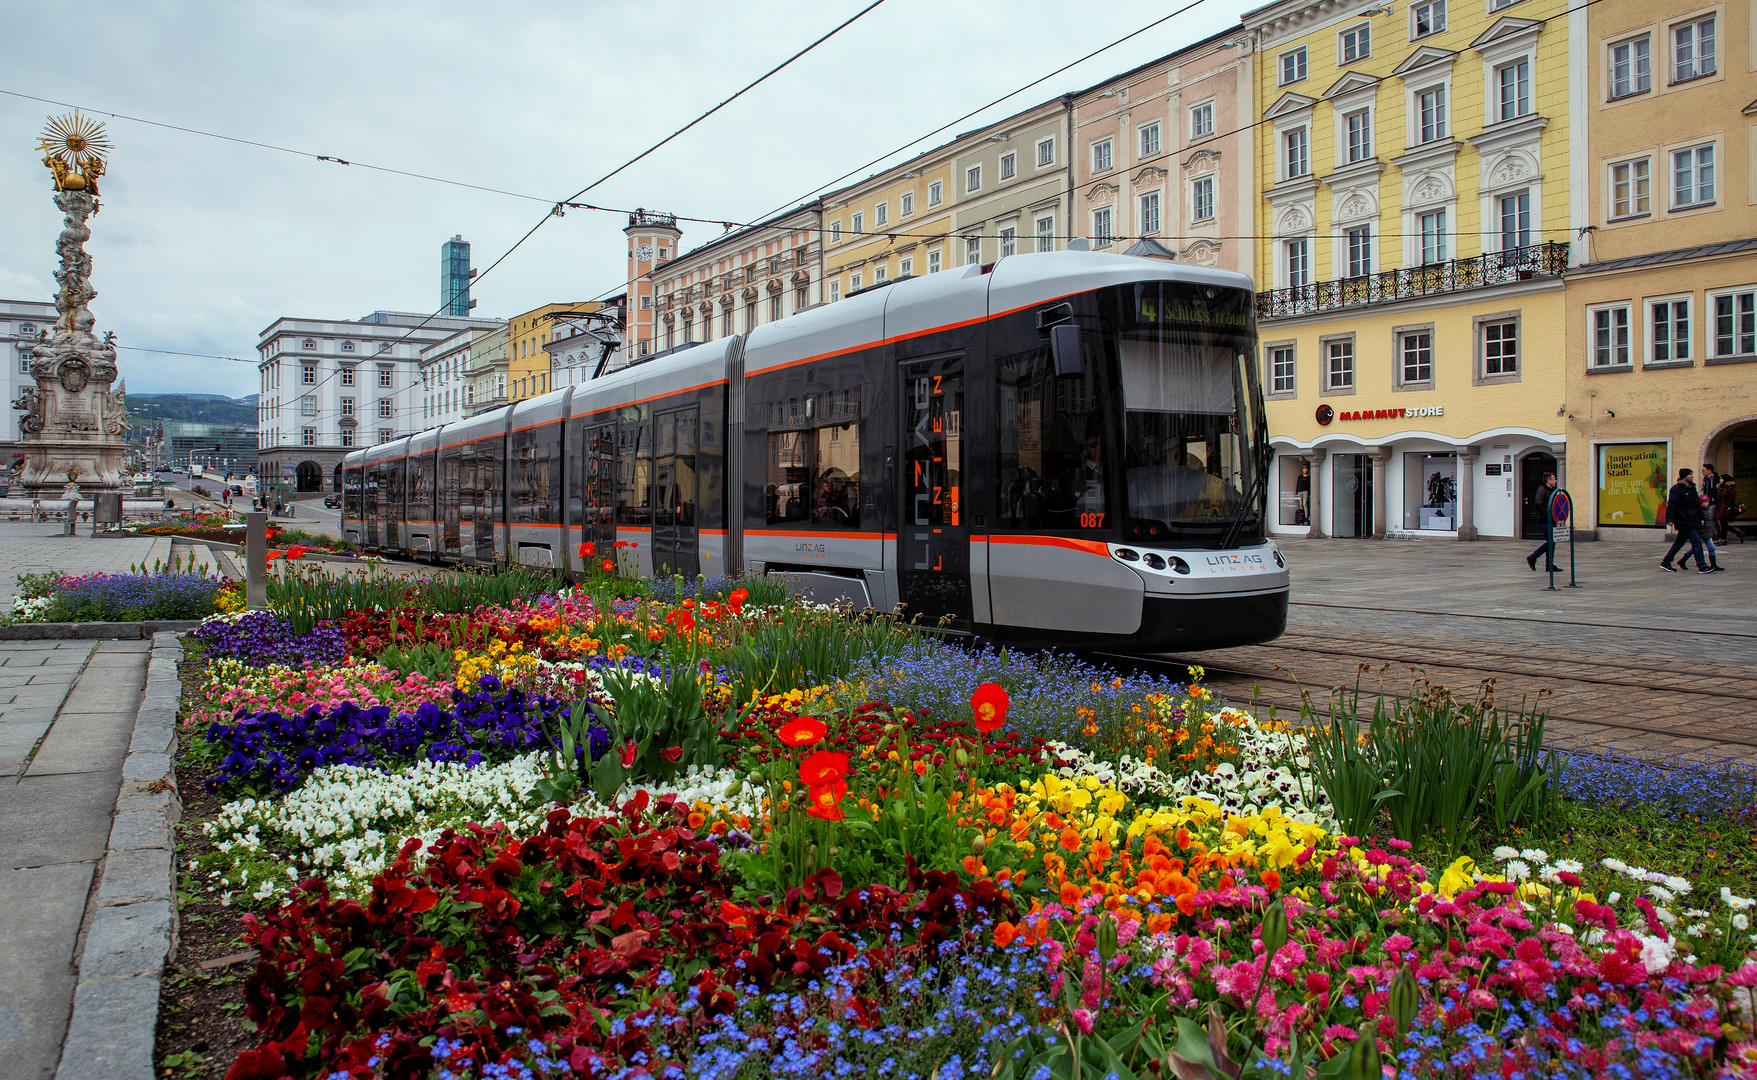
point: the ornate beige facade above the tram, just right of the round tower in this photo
(735, 284)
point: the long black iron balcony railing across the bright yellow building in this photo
(1414, 284)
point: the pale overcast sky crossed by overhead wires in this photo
(203, 243)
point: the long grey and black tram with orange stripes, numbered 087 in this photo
(1057, 449)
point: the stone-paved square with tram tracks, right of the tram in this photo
(1638, 661)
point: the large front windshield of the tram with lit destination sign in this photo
(1192, 429)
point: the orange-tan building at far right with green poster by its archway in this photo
(1663, 315)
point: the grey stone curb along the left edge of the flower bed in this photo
(134, 916)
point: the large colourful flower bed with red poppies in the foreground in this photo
(727, 835)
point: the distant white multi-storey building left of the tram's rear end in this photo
(331, 385)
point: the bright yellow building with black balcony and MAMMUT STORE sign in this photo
(1414, 173)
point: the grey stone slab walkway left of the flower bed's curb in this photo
(66, 717)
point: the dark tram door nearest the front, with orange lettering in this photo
(934, 540)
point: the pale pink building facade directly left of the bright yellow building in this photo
(1166, 152)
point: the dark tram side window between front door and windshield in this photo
(1053, 456)
